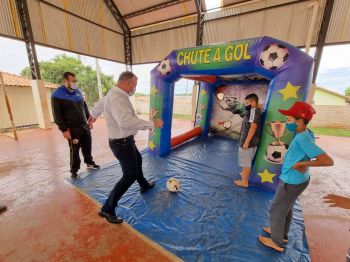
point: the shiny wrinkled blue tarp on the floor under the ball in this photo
(210, 219)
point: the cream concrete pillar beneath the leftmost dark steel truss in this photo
(41, 103)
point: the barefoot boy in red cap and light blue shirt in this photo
(302, 154)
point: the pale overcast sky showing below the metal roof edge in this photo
(334, 72)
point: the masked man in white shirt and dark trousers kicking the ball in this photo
(123, 125)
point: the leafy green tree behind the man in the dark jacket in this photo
(52, 71)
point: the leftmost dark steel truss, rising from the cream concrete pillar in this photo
(28, 36)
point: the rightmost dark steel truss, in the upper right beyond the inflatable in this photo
(321, 39)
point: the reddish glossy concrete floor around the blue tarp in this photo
(49, 220)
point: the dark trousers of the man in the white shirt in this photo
(130, 160)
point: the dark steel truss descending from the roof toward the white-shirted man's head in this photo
(126, 30)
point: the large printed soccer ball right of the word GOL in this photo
(274, 56)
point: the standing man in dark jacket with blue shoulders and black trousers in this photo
(70, 113)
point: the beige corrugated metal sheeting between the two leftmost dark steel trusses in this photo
(54, 27)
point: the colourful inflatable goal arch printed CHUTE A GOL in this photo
(286, 69)
